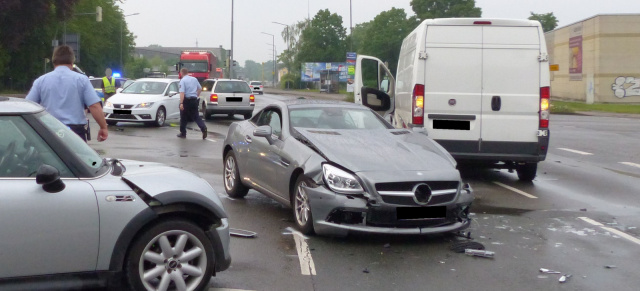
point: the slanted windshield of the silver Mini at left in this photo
(88, 156)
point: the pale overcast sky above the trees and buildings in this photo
(181, 23)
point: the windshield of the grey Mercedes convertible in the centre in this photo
(336, 118)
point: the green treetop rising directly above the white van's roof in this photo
(428, 9)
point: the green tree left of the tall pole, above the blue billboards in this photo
(323, 40)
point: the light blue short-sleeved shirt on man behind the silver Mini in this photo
(64, 93)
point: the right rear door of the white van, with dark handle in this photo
(511, 88)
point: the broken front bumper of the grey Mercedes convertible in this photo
(338, 215)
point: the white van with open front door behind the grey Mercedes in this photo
(479, 87)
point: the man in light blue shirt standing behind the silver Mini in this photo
(65, 93)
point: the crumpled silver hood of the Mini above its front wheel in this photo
(171, 185)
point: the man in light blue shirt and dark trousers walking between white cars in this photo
(189, 91)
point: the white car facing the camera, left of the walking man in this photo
(151, 101)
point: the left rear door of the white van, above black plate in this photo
(453, 86)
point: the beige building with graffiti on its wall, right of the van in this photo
(597, 59)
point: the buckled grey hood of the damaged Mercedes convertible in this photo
(380, 150)
